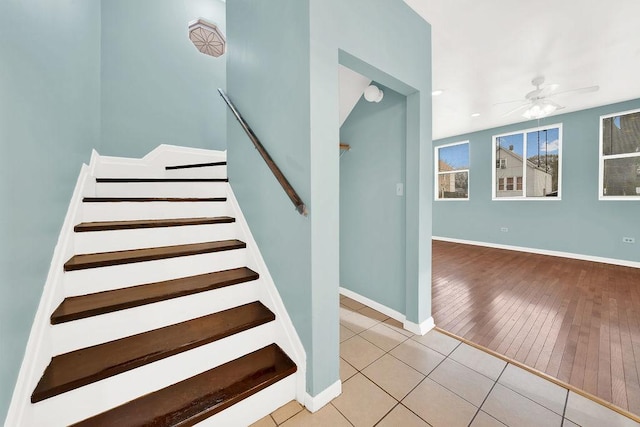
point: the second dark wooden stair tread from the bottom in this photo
(81, 367)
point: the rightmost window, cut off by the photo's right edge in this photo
(620, 156)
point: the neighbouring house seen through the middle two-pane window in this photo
(509, 179)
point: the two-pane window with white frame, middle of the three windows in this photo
(528, 164)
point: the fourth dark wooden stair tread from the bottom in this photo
(104, 259)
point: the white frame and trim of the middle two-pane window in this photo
(494, 140)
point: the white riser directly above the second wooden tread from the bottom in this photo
(94, 330)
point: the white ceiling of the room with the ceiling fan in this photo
(486, 52)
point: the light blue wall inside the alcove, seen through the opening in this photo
(372, 216)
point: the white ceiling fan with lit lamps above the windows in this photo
(538, 103)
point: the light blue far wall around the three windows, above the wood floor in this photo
(579, 223)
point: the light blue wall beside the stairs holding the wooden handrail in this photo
(268, 80)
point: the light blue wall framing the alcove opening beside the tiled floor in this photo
(389, 43)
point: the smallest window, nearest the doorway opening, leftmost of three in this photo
(452, 171)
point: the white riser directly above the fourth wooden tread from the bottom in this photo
(117, 240)
